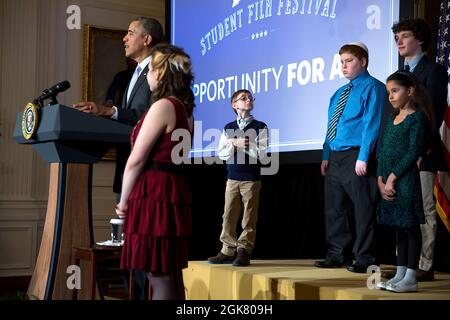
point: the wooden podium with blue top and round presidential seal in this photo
(71, 141)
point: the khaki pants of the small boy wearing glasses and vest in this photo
(240, 197)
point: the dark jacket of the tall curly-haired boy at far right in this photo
(434, 77)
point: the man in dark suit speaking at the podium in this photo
(143, 34)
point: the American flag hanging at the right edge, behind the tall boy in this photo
(442, 185)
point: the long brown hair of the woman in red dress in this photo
(176, 75)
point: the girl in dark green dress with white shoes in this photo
(398, 174)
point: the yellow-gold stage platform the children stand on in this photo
(295, 280)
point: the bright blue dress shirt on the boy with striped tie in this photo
(360, 121)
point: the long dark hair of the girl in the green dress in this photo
(420, 100)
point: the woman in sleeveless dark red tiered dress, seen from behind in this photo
(155, 200)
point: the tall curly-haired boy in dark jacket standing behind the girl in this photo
(412, 37)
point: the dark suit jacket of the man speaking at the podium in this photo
(130, 113)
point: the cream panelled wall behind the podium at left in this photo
(37, 50)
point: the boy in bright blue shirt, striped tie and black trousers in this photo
(348, 164)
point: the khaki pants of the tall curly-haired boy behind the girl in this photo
(429, 228)
